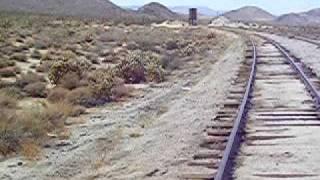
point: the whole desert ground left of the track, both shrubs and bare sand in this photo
(94, 100)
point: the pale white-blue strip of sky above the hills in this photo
(273, 6)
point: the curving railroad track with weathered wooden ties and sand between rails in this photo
(268, 126)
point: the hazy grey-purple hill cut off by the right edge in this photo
(311, 17)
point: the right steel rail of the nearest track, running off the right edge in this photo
(300, 71)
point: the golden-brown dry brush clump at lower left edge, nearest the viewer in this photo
(23, 130)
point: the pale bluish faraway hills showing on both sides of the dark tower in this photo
(205, 11)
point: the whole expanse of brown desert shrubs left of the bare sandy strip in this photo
(54, 68)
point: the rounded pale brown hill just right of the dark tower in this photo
(249, 13)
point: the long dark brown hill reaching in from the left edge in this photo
(82, 8)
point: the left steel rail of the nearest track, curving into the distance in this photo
(225, 166)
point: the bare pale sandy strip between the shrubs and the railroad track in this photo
(148, 137)
